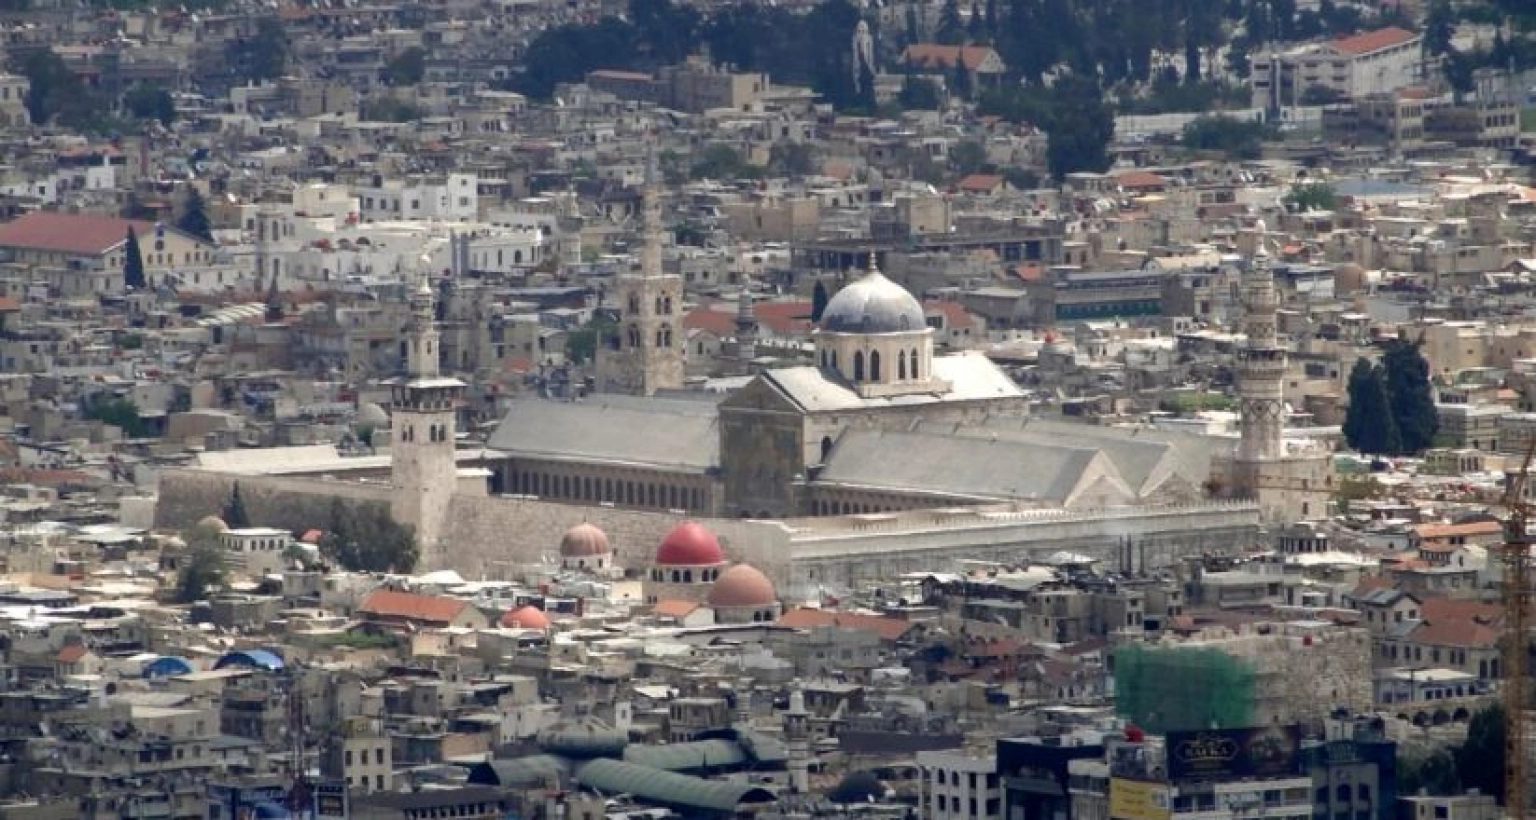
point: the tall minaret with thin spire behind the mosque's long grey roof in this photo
(647, 352)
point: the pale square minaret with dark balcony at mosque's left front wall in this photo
(423, 466)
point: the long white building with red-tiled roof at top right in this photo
(1374, 62)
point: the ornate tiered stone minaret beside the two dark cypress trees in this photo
(1262, 365)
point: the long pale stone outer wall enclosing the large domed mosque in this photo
(492, 538)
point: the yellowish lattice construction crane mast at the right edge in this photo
(1517, 564)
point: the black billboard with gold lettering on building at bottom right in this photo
(1231, 755)
